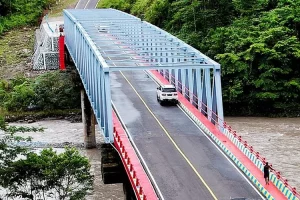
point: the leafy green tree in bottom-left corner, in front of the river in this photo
(31, 175)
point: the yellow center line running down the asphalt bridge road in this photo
(174, 143)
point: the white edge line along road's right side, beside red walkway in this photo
(230, 161)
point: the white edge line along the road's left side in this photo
(139, 155)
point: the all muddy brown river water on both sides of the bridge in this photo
(277, 139)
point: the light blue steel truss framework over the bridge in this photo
(105, 40)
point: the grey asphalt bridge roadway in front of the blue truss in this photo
(173, 174)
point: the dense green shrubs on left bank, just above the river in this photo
(52, 90)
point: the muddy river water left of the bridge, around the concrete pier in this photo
(59, 133)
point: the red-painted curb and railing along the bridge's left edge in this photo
(134, 169)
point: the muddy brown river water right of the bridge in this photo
(277, 139)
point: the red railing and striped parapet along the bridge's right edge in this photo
(276, 177)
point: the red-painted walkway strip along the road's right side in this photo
(252, 168)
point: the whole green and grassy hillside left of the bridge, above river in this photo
(21, 88)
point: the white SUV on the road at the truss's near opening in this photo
(167, 93)
